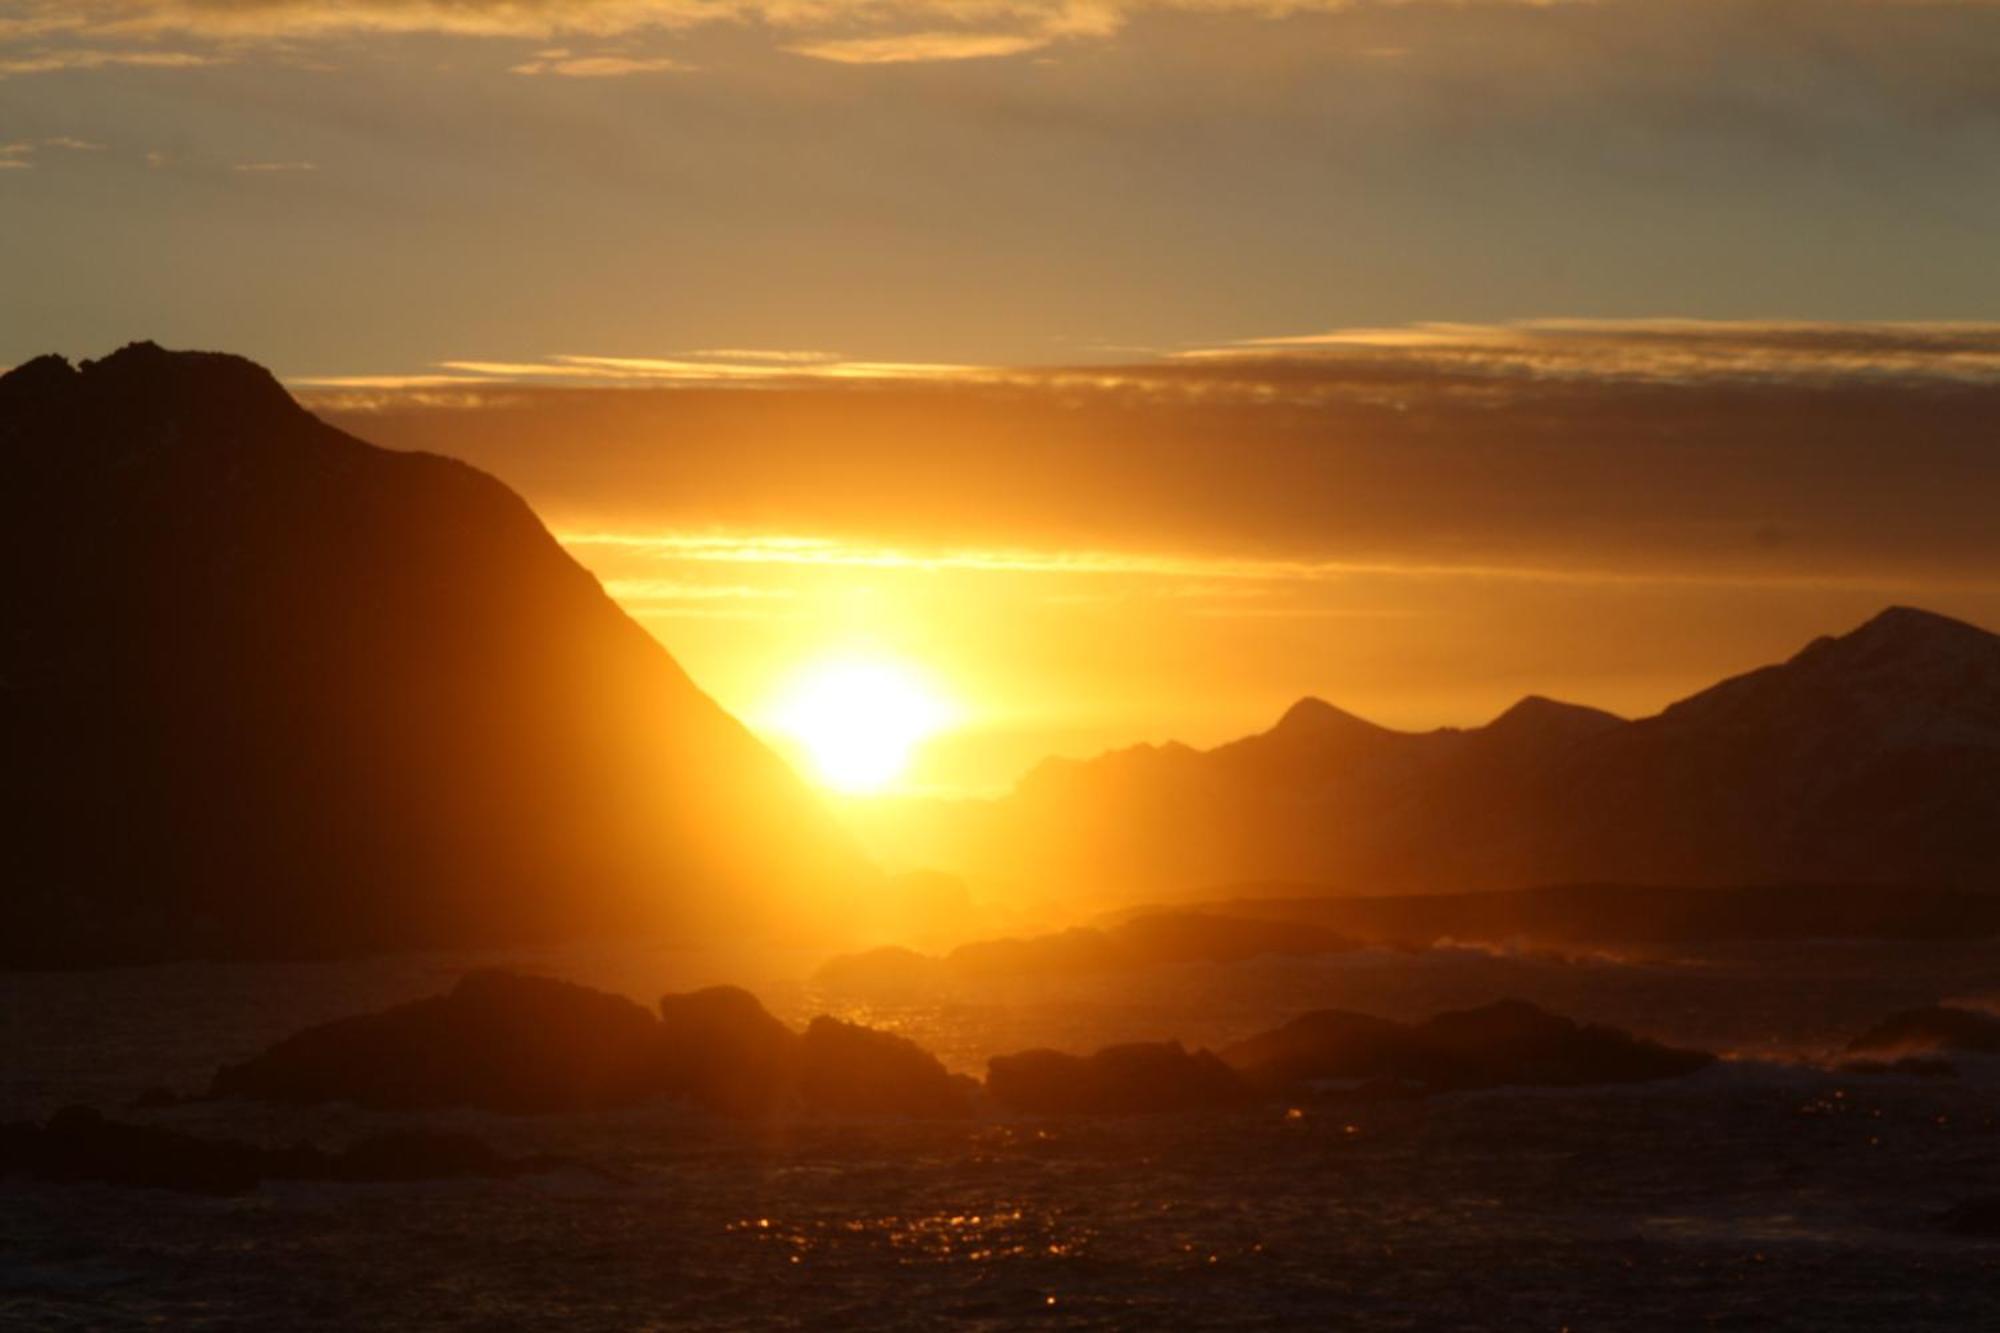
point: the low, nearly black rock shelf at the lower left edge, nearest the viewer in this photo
(79, 1146)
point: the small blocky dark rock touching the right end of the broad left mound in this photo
(725, 1052)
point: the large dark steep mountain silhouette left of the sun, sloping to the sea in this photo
(273, 692)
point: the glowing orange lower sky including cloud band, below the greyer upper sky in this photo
(1417, 527)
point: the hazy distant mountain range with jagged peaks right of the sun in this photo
(1865, 760)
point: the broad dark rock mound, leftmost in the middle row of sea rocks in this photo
(497, 1040)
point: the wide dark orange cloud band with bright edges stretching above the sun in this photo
(1551, 455)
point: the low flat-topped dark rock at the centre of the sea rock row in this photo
(1115, 1082)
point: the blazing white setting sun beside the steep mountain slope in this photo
(861, 720)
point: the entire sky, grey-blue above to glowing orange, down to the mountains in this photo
(1131, 367)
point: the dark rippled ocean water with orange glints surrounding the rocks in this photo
(1767, 1192)
